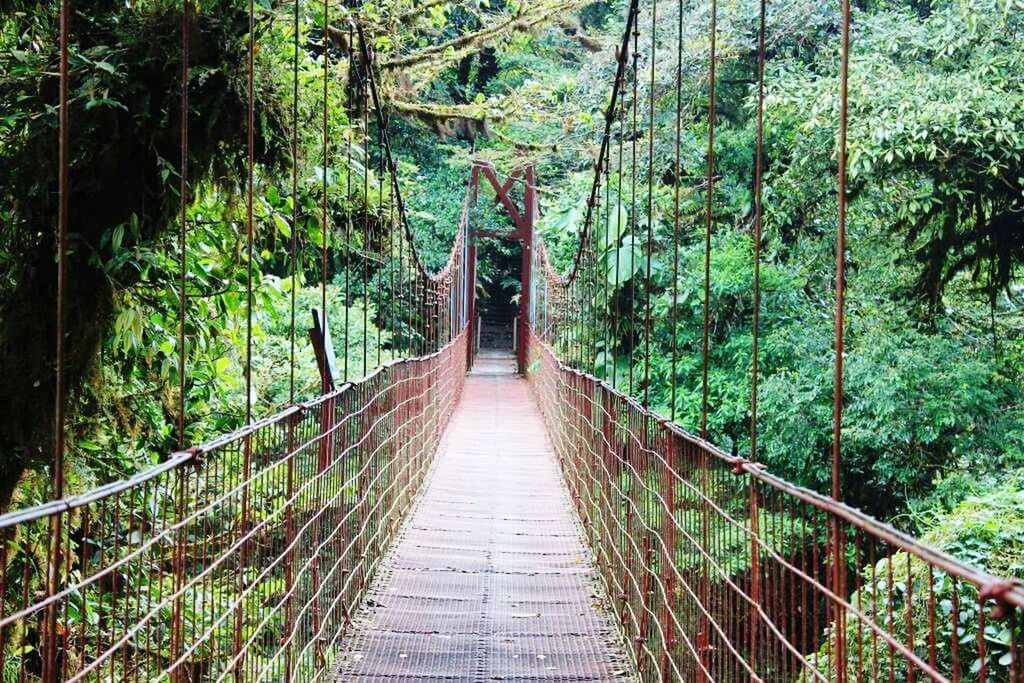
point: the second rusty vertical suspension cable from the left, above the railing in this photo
(183, 229)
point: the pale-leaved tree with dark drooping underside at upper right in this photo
(937, 111)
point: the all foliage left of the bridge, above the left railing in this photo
(123, 367)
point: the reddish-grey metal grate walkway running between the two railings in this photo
(490, 579)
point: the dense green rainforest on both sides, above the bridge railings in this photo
(934, 426)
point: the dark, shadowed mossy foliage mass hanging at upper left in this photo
(124, 113)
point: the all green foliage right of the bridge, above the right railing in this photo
(935, 157)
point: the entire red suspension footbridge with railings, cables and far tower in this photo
(452, 515)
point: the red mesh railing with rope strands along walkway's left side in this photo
(243, 559)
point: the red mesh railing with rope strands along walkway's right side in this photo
(721, 572)
